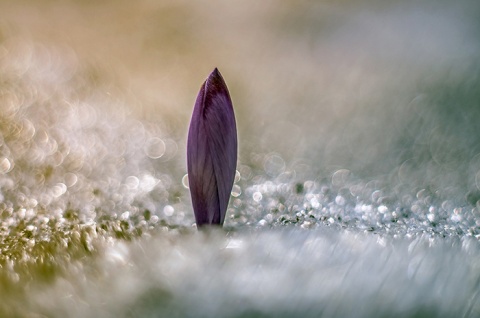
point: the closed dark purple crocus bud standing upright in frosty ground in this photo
(212, 151)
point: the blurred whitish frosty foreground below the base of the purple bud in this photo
(282, 272)
